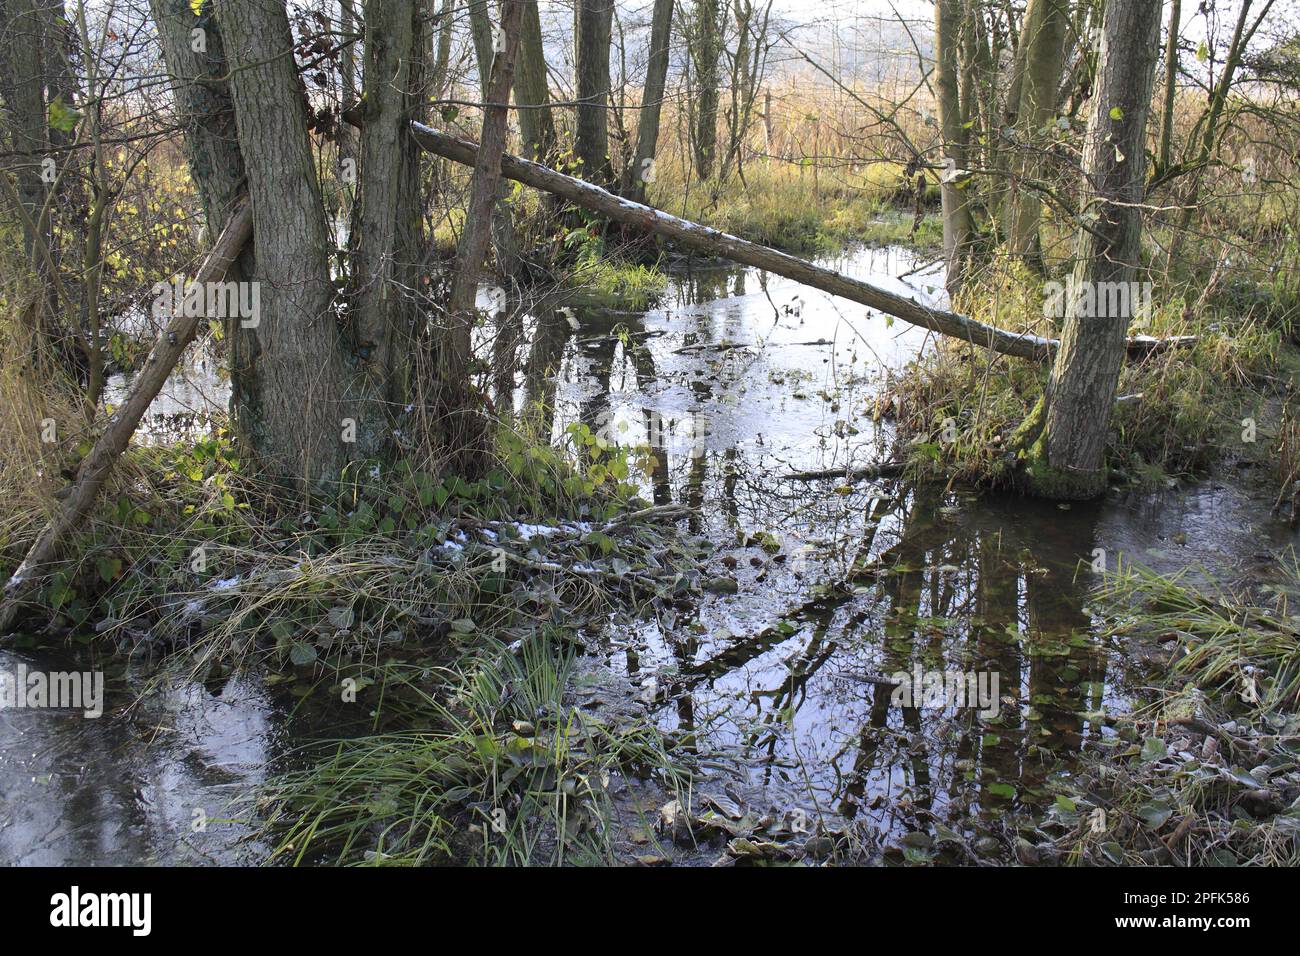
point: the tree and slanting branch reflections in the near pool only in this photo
(989, 609)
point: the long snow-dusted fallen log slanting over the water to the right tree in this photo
(718, 244)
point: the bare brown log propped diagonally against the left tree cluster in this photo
(122, 425)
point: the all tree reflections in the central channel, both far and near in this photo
(990, 609)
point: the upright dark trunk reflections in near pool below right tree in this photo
(991, 596)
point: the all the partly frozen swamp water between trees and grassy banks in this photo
(779, 680)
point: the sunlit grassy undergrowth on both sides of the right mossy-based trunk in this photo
(957, 408)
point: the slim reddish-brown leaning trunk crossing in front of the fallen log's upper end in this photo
(465, 434)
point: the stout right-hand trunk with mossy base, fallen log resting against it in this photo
(1069, 458)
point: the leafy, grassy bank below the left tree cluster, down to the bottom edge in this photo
(449, 609)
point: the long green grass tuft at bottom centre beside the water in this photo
(496, 765)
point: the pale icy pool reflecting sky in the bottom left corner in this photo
(124, 789)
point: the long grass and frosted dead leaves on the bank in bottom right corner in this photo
(1210, 773)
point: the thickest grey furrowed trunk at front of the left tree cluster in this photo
(289, 397)
